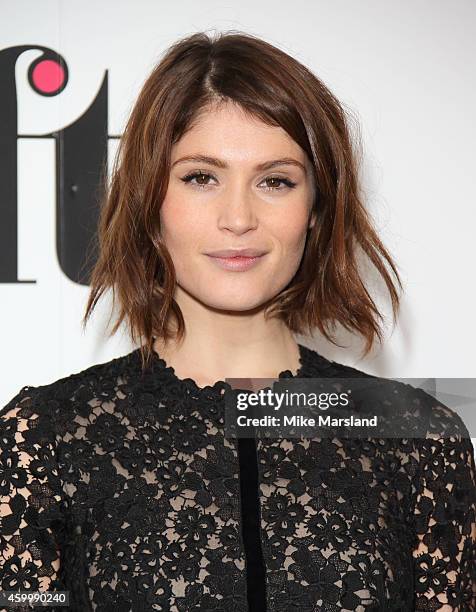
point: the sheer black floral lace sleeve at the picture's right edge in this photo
(445, 517)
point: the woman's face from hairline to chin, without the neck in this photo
(236, 205)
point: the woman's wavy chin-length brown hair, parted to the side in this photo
(196, 72)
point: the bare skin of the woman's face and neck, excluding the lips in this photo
(234, 207)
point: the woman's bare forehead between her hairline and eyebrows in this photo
(226, 130)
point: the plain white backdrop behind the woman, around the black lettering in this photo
(405, 69)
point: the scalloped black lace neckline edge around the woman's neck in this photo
(214, 392)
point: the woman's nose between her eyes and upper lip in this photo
(236, 209)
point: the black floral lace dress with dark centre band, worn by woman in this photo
(120, 486)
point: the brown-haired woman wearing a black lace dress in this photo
(118, 483)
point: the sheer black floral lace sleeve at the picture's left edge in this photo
(30, 499)
